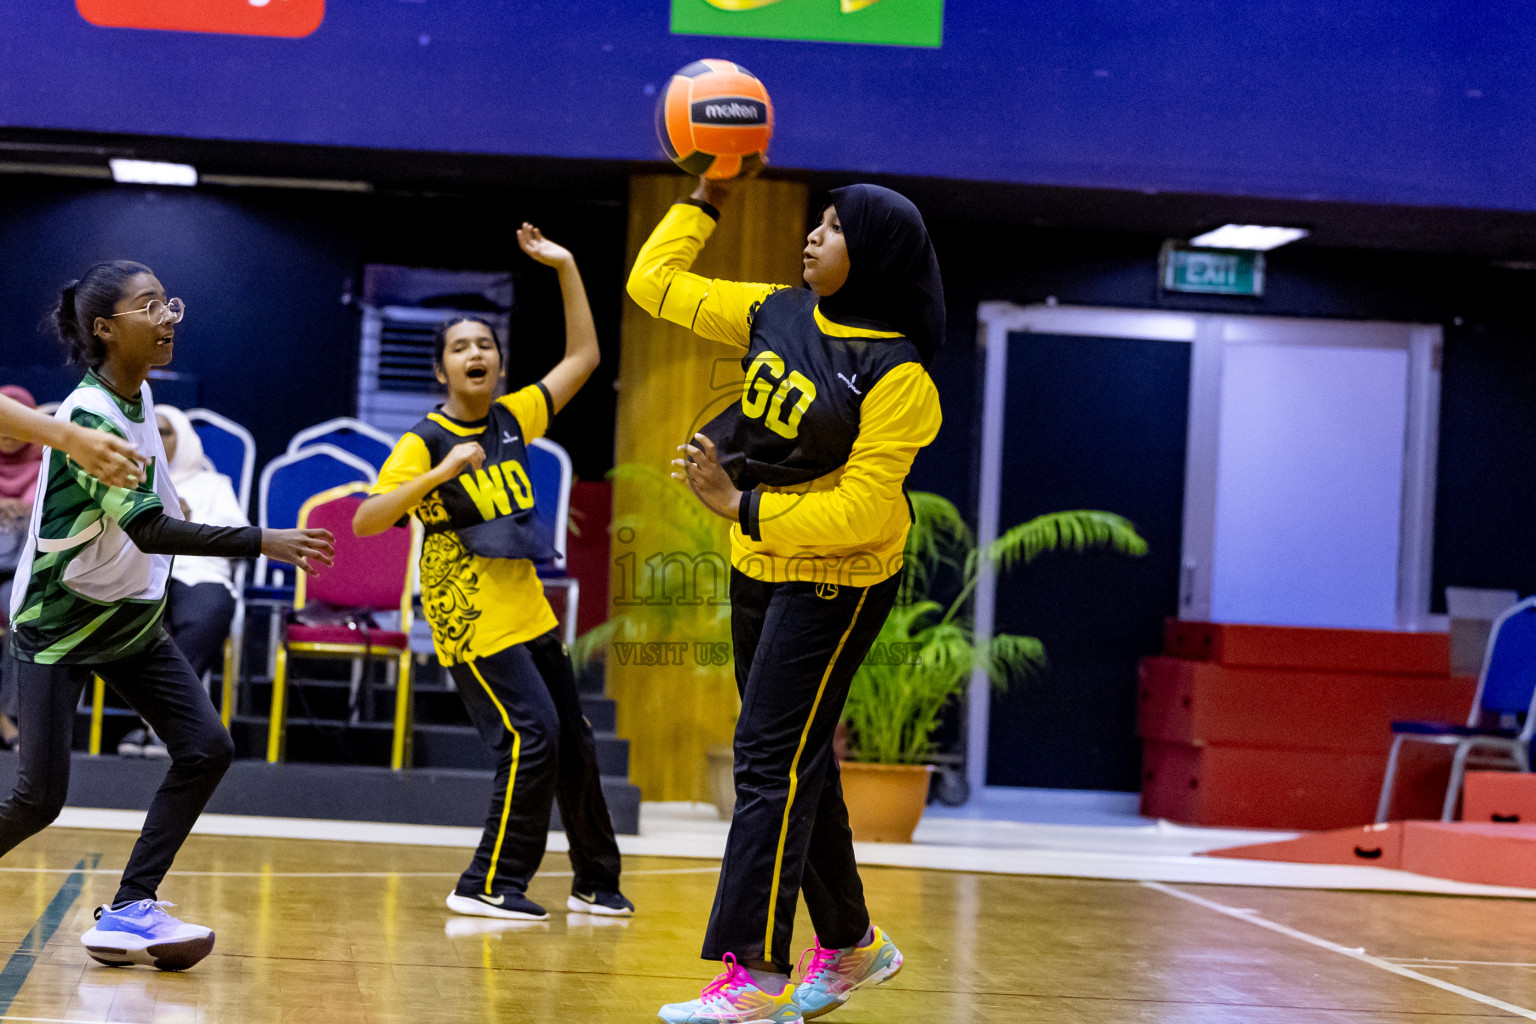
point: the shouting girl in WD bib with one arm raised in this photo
(463, 474)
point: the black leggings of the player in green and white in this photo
(162, 689)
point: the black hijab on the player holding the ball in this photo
(893, 277)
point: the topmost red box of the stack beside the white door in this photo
(1382, 652)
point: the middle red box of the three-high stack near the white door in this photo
(1205, 704)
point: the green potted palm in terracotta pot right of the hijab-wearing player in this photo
(929, 650)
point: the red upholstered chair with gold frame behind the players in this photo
(371, 575)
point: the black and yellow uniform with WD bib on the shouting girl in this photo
(497, 635)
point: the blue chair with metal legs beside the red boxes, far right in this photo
(1498, 732)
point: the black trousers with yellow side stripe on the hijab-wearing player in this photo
(798, 647)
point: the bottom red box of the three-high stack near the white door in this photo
(1285, 790)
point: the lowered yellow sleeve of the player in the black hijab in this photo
(899, 417)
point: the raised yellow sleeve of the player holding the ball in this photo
(661, 285)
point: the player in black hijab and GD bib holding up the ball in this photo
(810, 467)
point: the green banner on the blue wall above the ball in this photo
(881, 22)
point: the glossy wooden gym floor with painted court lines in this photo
(357, 934)
